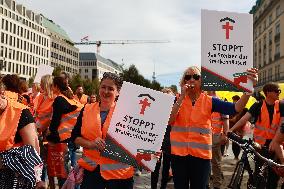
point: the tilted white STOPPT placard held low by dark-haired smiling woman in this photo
(138, 126)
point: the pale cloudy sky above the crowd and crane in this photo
(178, 21)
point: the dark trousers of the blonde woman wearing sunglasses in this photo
(190, 169)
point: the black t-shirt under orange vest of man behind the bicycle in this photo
(256, 108)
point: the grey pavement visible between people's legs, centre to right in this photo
(228, 165)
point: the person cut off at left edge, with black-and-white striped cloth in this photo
(17, 129)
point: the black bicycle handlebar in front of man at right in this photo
(249, 145)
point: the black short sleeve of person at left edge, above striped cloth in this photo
(25, 119)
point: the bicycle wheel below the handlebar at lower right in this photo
(237, 177)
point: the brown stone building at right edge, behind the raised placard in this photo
(269, 40)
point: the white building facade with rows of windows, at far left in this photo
(24, 40)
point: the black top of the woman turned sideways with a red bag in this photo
(60, 106)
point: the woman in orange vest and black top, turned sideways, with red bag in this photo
(64, 116)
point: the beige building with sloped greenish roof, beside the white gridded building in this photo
(63, 53)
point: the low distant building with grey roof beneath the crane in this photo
(92, 65)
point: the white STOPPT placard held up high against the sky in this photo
(226, 50)
